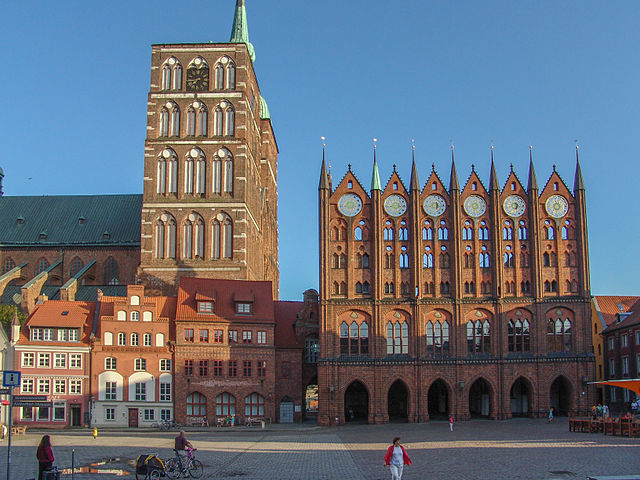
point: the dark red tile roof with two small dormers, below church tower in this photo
(226, 293)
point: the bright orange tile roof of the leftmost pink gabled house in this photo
(52, 314)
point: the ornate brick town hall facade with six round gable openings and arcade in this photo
(438, 301)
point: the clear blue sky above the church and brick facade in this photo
(75, 80)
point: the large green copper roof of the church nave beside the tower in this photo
(80, 220)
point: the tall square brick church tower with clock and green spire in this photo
(210, 171)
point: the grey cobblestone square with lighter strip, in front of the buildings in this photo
(476, 450)
